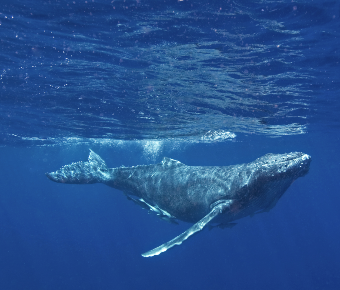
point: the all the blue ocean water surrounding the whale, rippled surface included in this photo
(203, 82)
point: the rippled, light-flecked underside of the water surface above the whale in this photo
(166, 69)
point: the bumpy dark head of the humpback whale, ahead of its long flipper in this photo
(262, 182)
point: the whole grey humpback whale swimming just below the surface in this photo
(196, 194)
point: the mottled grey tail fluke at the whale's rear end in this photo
(92, 171)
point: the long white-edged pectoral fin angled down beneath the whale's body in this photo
(216, 210)
